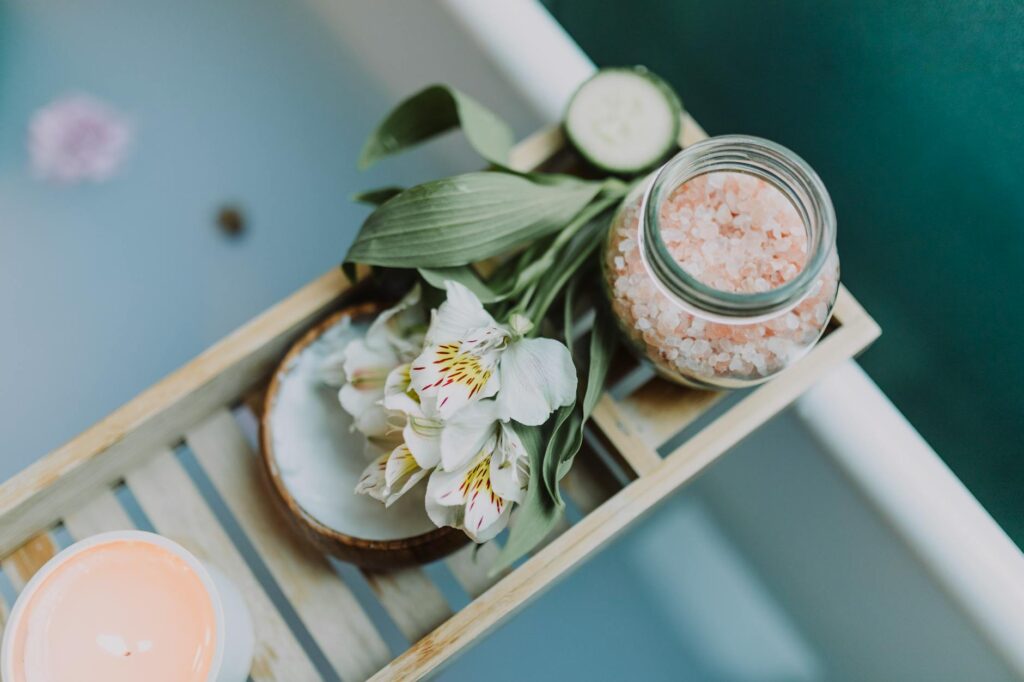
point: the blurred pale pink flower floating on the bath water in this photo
(78, 139)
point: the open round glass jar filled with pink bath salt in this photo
(721, 267)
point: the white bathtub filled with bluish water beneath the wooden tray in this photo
(833, 544)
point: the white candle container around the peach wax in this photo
(236, 641)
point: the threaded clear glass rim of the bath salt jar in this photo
(772, 162)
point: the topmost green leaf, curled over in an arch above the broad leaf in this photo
(433, 112)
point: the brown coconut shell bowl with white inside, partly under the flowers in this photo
(314, 459)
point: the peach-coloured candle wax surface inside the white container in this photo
(119, 611)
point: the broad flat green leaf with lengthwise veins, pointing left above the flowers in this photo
(465, 219)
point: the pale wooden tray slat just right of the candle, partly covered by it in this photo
(178, 510)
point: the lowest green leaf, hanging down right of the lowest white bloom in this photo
(539, 513)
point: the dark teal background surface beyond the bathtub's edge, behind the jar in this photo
(914, 115)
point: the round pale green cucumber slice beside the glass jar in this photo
(624, 120)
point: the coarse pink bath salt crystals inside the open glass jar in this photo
(735, 233)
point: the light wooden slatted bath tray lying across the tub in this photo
(181, 459)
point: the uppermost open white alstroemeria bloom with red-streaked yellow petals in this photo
(470, 358)
